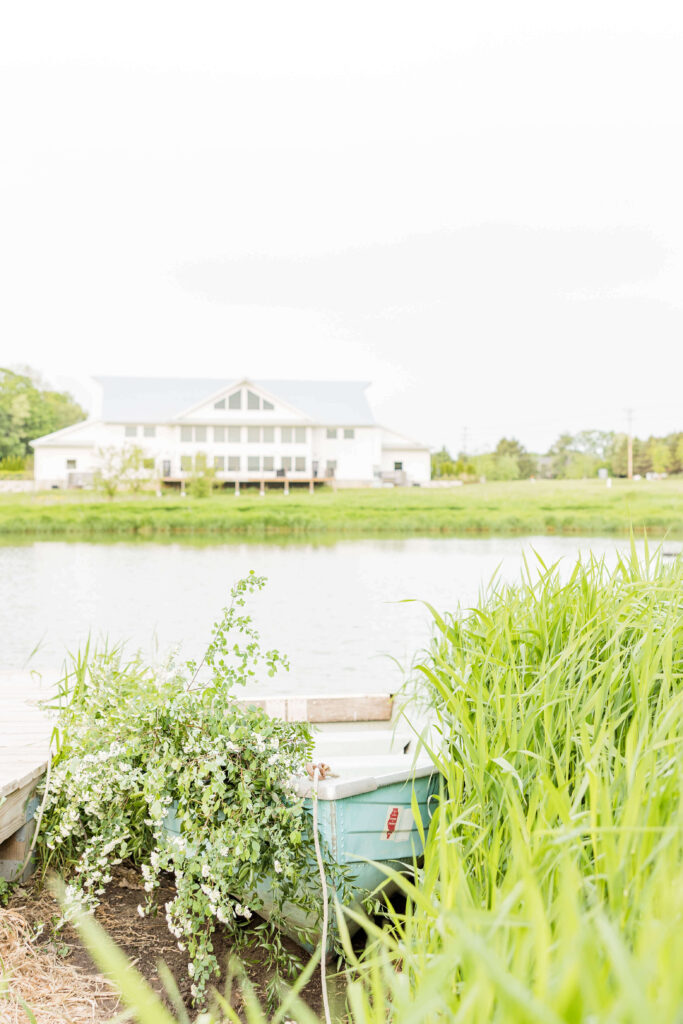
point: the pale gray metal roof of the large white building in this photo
(161, 400)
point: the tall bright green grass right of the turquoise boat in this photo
(552, 887)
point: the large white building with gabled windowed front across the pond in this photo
(249, 432)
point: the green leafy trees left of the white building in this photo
(30, 410)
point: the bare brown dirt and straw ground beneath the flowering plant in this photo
(145, 941)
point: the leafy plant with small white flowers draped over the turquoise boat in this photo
(142, 747)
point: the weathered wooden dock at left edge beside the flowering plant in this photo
(25, 739)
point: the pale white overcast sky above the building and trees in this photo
(476, 206)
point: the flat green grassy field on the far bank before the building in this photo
(522, 507)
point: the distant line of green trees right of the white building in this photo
(572, 457)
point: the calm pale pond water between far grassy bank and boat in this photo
(330, 607)
